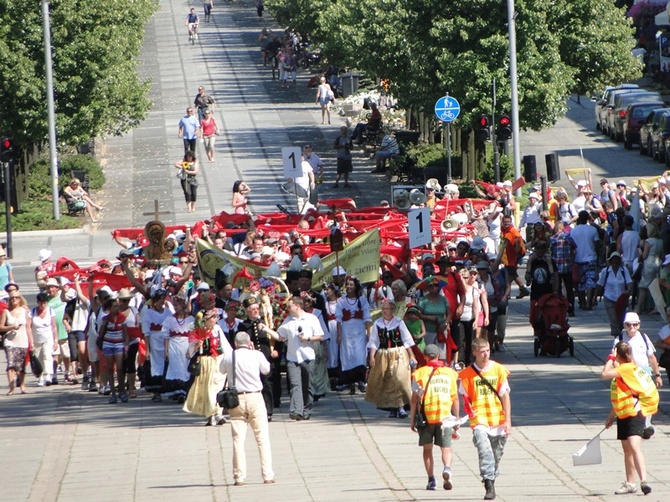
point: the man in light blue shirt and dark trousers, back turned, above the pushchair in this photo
(586, 238)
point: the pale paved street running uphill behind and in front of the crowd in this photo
(62, 444)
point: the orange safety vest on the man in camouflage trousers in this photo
(485, 404)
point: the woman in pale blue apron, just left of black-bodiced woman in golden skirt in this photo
(353, 327)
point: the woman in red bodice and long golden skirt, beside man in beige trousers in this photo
(210, 343)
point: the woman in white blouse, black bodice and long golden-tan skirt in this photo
(390, 359)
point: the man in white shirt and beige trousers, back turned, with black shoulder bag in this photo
(248, 365)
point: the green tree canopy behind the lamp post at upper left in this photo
(96, 86)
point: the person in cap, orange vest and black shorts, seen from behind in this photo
(434, 396)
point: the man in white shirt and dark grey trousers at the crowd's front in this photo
(300, 330)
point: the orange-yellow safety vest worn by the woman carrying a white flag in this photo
(633, 385)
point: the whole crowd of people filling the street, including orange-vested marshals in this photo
(418, 339)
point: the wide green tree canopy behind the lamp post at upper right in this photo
(429, 47)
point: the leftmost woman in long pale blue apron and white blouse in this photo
(153, 316)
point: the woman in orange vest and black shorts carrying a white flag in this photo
(634, 396)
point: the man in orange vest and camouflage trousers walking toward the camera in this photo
(485, 392)
